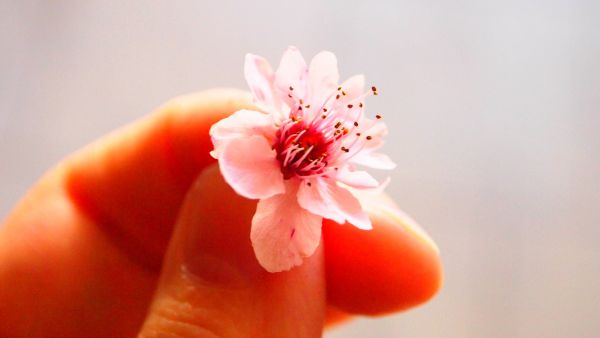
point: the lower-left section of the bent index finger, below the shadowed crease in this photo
(60, 276)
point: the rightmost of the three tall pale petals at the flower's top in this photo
(323, 77)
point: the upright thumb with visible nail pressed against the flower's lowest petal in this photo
(211, 284)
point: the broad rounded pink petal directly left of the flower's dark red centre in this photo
(250, 167)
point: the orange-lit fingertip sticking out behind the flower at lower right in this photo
(390, 268)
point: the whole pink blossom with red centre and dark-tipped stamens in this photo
(298, 155)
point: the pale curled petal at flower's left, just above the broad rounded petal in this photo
(243, 123)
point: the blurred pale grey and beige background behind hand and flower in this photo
(493, 106)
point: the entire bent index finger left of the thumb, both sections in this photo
(73, 252)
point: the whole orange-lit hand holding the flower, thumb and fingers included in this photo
(137, 234)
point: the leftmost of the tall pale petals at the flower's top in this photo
(260, 76)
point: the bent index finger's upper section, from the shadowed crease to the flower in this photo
(132, 182)
